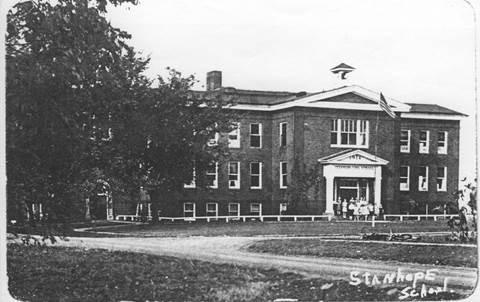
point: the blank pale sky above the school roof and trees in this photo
(419, 51)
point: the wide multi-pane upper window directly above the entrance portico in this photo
(349, 133)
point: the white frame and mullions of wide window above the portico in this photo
(359, 124)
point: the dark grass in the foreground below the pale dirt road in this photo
(68, 274)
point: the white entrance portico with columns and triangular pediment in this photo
(348, 170)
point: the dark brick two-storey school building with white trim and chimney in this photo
(357, 149)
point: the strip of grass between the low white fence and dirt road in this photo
(273, 228)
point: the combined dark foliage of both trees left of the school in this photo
(80, 109)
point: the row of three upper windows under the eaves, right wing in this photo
(424, 141)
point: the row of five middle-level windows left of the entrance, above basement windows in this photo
(234, 176)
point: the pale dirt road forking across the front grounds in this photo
(229, 250)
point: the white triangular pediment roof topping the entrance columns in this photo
(353, 157)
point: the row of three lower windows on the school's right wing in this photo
(423, 178)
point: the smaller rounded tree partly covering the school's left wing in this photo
(171, 136)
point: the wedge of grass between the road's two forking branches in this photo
(442, 255)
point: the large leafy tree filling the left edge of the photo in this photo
(68, 72)
